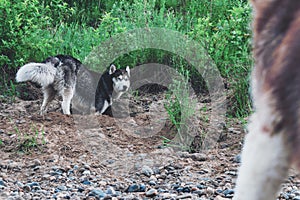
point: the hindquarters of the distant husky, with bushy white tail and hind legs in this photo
(57, 75)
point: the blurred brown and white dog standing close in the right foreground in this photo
(273, 142)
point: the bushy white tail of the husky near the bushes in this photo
(41, 73)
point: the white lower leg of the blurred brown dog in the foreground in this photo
(264, 162)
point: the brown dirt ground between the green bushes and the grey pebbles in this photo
(117, 146)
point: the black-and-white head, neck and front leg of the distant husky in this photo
(112, 84)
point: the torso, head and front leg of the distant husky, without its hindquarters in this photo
(95, 93)
